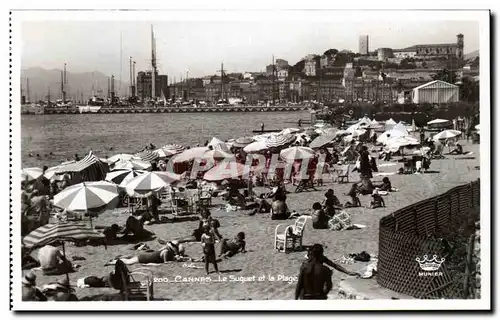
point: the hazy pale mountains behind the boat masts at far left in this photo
(41, 79)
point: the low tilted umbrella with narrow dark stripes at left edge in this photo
(65, 231)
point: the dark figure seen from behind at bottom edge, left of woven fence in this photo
(315, 279)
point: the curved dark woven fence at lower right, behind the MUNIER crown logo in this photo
(412, 232)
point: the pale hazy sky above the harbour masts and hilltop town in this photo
(199, 47)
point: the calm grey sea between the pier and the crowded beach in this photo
(66, 135)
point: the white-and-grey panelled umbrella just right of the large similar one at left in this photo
(151, 182)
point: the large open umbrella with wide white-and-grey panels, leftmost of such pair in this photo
(87, 196)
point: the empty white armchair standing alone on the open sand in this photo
(291, 237)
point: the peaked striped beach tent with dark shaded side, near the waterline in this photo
(90, 168)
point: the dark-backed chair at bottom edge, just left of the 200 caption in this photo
(122, 279)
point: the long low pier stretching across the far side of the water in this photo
(116, 110)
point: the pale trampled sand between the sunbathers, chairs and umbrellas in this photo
(251, 275)
